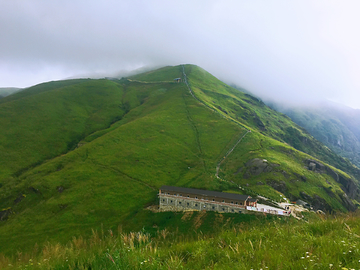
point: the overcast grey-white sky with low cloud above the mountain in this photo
(287, 50)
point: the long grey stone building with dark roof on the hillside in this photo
(179, 198)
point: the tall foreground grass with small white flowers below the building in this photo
(328, 243)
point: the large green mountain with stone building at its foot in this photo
(83, 154)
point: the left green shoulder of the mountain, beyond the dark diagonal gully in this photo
(47, 120)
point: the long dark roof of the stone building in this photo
(223, 195)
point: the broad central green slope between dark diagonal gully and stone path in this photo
(169, 138)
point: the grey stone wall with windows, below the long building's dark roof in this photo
(177, 203)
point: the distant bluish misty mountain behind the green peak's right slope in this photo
(336, 126)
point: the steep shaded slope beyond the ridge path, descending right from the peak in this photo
(252, 112)
